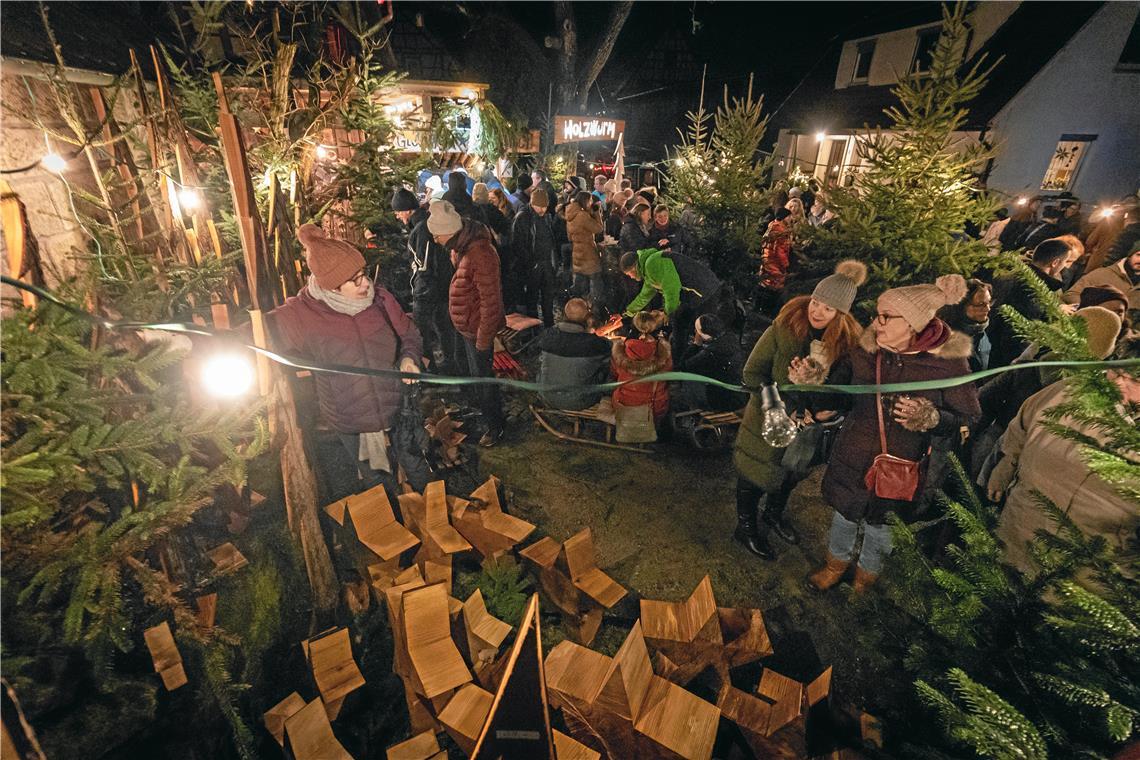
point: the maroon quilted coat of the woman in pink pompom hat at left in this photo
(379, 338)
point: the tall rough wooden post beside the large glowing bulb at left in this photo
(300, 481)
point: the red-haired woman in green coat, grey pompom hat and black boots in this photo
(809, 344)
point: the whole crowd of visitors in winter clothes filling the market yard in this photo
(579, 258)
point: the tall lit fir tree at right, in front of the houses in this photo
(917, 192)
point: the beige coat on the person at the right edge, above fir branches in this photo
(1039, 461)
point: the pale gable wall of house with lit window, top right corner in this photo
(1077, 93)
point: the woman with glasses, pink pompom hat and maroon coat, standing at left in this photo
(343, 318)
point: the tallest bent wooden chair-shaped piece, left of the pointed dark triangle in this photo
(437, 665)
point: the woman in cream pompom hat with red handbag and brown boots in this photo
(877, 465)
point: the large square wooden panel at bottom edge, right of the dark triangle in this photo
(679, 721)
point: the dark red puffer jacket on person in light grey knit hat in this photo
(476, 298)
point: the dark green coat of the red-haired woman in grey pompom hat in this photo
(755, 459)
